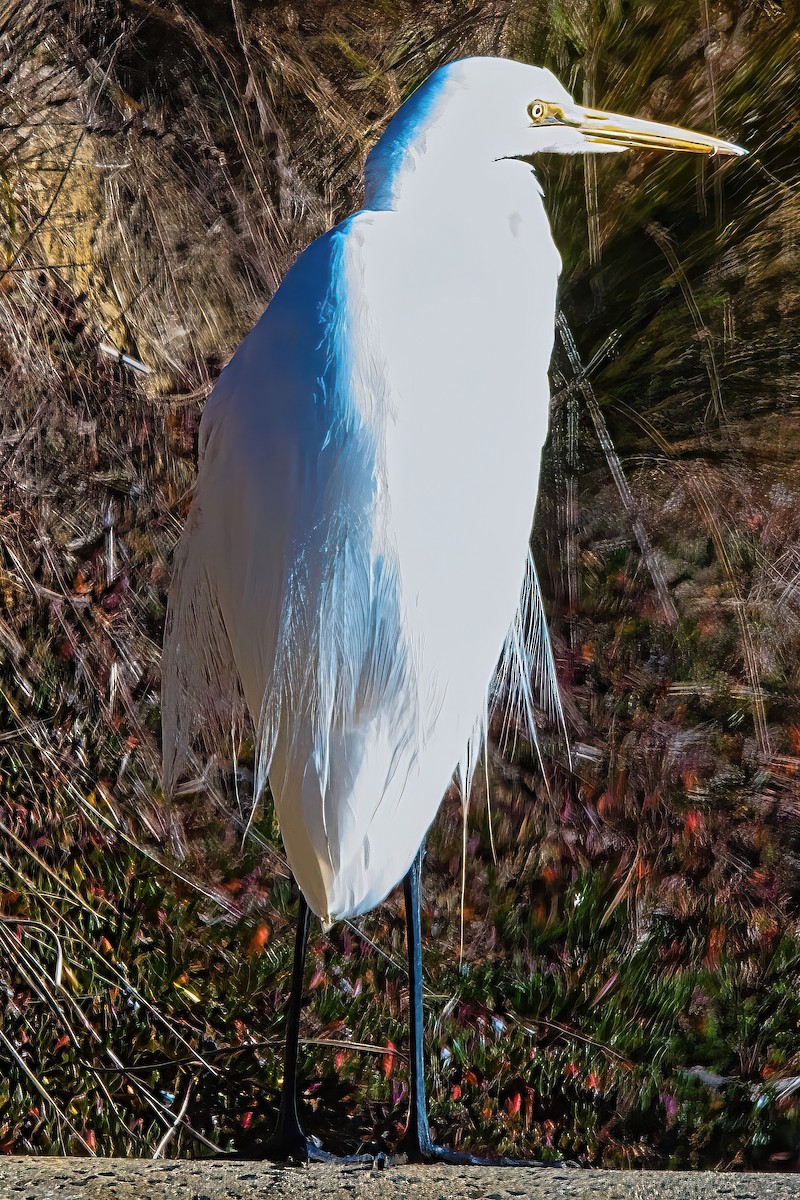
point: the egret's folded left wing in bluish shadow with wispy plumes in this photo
(284, 602)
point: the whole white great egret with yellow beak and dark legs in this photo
(357, 559)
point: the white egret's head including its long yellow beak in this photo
(482, 110)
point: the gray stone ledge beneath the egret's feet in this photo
(92, 1179)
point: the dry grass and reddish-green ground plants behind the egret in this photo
(629, 993)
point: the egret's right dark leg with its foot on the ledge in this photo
(418, 1144)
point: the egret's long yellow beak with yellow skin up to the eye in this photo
(624, 133)
